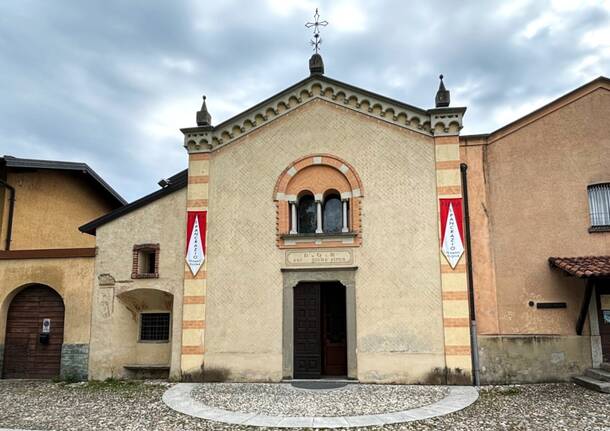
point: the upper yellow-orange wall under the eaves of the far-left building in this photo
(49, 208)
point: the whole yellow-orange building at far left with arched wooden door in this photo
(46, 265)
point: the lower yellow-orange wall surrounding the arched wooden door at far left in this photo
(71, 278)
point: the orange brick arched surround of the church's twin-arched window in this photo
(318, 173)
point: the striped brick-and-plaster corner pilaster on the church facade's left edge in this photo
(195, 287)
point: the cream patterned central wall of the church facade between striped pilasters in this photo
(398, 298)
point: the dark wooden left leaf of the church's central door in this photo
(307, 351)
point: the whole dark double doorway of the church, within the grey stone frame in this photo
(320, 330)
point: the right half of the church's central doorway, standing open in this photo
(334, 330)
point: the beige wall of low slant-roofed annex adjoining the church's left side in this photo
(117, 303)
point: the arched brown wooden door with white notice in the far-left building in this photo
(25, 356)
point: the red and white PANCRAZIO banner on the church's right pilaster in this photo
(452, 231)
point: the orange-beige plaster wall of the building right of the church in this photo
(536, 176)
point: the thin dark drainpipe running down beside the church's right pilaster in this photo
(471, 308)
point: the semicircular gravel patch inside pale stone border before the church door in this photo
(285, 400)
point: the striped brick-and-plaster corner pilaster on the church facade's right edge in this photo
(454, 283)
